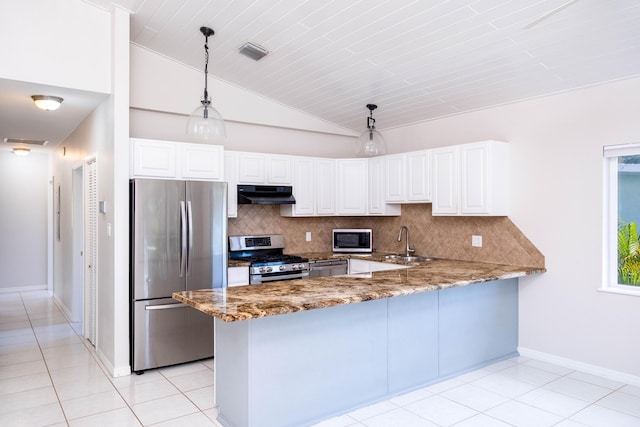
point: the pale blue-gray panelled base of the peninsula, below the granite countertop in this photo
(300, 368)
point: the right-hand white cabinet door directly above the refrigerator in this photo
(202, 162)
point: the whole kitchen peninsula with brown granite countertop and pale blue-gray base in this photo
(295, 352)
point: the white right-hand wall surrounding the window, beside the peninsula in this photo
(556, 200)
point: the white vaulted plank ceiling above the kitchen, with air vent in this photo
(417, 60)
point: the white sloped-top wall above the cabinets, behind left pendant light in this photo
(254, 123)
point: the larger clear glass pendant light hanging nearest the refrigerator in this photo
(205, 123)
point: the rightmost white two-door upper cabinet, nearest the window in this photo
(471, 179)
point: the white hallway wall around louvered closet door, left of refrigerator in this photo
(104, 134)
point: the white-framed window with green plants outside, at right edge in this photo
(622, 219)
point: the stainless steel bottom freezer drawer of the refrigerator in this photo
(166, 332)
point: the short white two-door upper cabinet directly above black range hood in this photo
(261, 168)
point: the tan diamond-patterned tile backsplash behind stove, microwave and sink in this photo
(444, 237)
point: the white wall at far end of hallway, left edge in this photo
(23, 221)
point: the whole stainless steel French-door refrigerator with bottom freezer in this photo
(178, 242)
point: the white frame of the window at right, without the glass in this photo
(610, 218)
